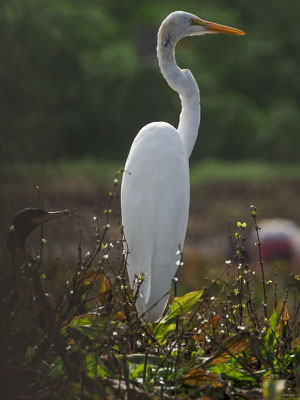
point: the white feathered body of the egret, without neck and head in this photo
(155, 217)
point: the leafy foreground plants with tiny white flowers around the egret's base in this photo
(220, 339)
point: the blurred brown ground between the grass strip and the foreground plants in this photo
(214, 211)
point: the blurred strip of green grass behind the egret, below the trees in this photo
(91, 174)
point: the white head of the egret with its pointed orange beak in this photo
(180, 24)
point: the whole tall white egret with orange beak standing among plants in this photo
(155, 192)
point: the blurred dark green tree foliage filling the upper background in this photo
(80, 77)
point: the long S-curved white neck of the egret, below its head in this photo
(183, 82)
